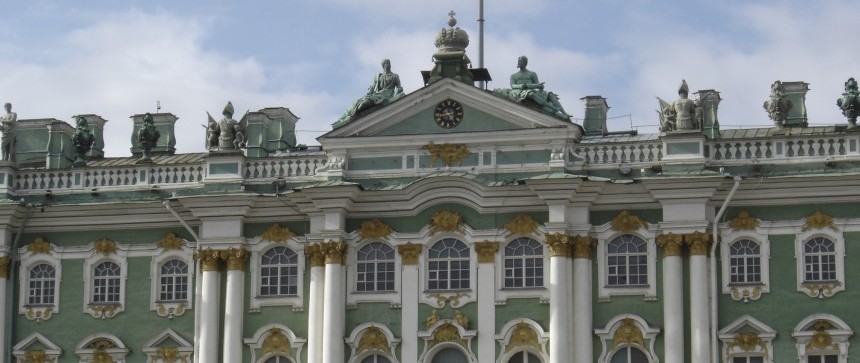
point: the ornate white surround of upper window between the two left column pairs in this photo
(257, 248)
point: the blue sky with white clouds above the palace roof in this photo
(315, 57)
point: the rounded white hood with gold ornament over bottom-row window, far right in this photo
(839, 335)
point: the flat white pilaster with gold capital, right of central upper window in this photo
(486, 288)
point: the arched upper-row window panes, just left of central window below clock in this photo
(375, 268)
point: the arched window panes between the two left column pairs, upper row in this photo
(279, 271)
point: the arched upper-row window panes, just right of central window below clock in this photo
(523, 263)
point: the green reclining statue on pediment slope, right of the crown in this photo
(526, 86)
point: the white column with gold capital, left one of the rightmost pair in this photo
(673, 297)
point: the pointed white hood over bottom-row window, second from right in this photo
(764, 349)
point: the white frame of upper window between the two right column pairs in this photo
(606, 234)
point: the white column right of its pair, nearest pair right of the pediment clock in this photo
(582, 349)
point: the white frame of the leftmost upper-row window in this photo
(28, 261)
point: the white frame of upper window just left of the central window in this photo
(355, 296)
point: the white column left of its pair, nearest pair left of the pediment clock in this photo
(315, 303)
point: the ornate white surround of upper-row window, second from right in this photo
(752, 291)
